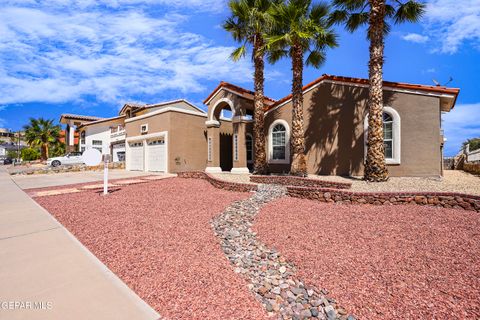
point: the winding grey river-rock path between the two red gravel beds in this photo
(271, 278)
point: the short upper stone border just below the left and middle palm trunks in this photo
(299, 181)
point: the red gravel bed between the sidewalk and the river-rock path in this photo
(157, 238)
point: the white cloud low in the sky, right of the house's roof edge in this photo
(460, 124)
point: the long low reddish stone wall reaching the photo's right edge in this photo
(438, 199)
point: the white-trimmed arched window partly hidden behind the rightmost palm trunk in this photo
(391, 135)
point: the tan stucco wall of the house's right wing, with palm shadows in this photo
(334, 131)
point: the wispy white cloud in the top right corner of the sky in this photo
(453, 22)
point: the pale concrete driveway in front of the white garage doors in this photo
(65, 178)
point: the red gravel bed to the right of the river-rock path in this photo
(379, 262)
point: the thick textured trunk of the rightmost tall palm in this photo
(375, 167)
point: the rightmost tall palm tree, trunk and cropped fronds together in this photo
(375, 13)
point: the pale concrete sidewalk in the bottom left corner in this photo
(42, 263)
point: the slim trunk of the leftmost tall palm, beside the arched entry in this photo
(260, 162)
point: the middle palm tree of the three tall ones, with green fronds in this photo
(300, 28)
